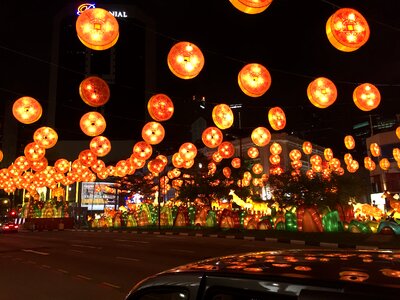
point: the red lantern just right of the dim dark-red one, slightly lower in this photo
(160, 107)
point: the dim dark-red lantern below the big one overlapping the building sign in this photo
(94, 91)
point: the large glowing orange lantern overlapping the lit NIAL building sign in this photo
(97, 29)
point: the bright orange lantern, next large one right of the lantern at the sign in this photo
(185, 60)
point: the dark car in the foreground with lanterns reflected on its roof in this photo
(286, 274)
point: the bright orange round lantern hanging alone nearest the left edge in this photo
(27, 110)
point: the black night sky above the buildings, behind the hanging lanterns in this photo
(288, 38)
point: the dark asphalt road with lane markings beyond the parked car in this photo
(99, 265)
